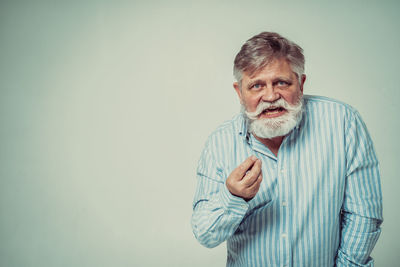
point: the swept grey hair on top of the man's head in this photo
(261, 49)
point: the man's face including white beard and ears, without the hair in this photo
(272, 99)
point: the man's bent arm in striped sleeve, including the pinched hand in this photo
(219, 206)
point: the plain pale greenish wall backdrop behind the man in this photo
(105, 108)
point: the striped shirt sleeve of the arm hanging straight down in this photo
(362, 207)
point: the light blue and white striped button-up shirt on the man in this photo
(319, 203)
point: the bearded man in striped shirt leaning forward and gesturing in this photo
(293, 180)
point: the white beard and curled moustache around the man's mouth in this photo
(274, 127)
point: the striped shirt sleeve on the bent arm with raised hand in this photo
(216, 212)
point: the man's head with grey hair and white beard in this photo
(269, 72)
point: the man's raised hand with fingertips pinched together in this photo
(245, 180)
